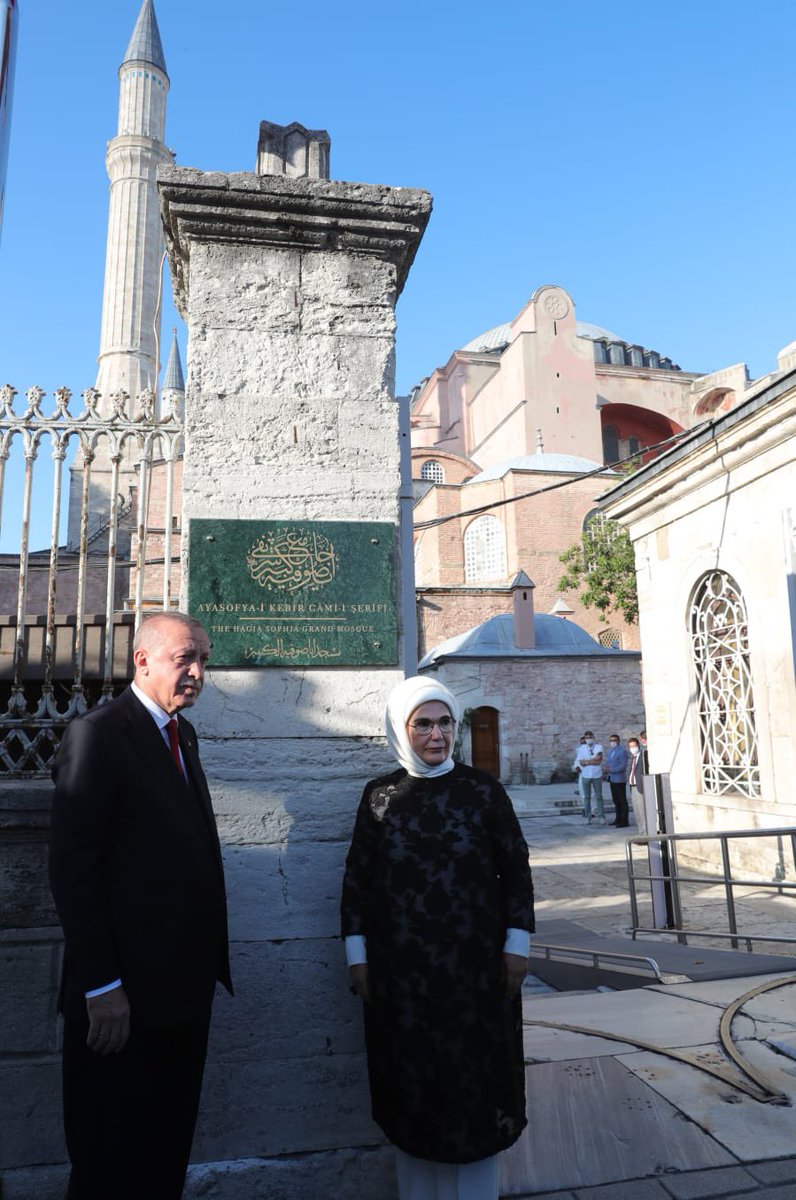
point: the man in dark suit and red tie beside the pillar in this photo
(139, 884)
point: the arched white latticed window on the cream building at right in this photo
(725, 698)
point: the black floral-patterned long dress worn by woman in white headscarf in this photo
(436, 873)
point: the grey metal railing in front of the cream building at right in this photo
(672, 878)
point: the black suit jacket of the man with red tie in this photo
(136, 868)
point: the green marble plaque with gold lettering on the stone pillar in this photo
(295, 593)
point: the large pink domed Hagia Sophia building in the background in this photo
(541, 401)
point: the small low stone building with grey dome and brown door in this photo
(529, 685)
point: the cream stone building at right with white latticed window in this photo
(714, 527)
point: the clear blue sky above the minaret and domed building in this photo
(639, 154)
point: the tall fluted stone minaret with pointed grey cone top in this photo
(128, 347)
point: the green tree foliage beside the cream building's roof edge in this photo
(602, 568)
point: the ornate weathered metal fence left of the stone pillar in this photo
(116, 442)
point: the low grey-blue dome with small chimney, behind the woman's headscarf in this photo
(495, 639)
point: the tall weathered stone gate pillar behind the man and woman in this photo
(289, 287)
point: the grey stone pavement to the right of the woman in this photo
(614, 1120)
